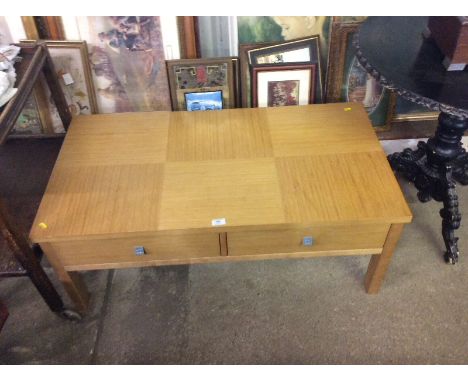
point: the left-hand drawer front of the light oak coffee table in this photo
(120, 252)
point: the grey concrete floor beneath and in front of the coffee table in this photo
(309, 311)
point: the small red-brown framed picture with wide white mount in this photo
(283, 85)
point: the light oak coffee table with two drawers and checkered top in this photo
(147, 189)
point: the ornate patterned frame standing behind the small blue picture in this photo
(201, 75)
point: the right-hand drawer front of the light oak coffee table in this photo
(349, 239)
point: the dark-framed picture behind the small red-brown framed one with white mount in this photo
(299, 50)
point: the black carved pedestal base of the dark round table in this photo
(434, 167)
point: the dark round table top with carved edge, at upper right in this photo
(394, 51)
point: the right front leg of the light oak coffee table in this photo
(379, 263)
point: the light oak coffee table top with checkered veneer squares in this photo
(121, 174)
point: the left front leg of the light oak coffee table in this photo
(72, 282)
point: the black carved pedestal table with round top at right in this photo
(395, 52)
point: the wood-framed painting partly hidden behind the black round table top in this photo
(348, 81)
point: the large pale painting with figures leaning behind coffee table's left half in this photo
(127, 60)
